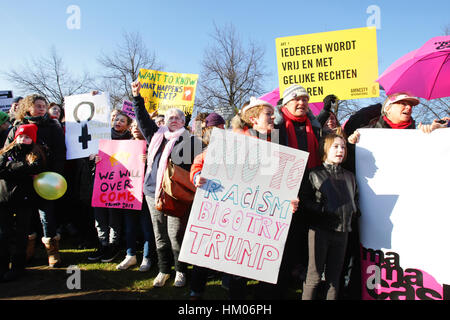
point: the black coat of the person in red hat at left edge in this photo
(16, 181)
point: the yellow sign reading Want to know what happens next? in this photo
(164, 90)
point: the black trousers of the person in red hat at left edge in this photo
(14, 231)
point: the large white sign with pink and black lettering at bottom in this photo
(403, 181)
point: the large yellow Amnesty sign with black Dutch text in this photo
(343, 63)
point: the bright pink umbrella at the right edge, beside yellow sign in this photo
(424, 72)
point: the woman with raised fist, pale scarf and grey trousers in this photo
(168, 142)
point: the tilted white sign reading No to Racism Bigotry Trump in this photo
(240, 218)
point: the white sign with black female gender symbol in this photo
(87, 121)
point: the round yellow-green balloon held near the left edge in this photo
(50, 185)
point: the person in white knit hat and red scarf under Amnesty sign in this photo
(296, 130)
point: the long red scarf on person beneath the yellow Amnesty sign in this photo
(313, 145)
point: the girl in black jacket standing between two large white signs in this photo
(330, 200)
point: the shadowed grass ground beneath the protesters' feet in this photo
(102, 281)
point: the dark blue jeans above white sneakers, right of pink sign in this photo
(133, 220)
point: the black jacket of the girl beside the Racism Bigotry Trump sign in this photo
(330, 198)
